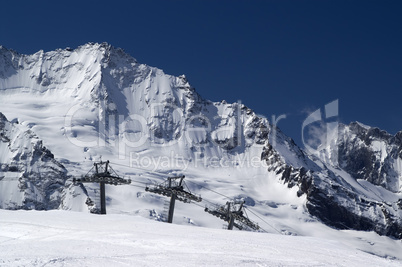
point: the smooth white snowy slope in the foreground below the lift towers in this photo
(59, 238)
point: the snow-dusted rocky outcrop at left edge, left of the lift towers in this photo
(30, 177)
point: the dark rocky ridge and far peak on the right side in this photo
(360, 190)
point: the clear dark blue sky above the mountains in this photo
(277, 57)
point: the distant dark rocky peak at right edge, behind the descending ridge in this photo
(371, 154)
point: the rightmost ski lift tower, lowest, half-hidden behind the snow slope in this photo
(233, 213)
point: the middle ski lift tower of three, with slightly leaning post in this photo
(173, 188)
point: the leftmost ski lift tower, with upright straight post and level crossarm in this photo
(103, 174)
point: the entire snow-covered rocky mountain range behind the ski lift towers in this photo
(98, 102)
